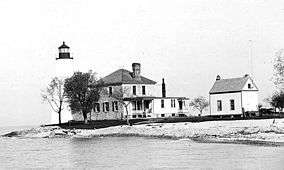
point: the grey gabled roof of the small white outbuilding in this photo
(230, 85)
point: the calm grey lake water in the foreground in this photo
(134, 153)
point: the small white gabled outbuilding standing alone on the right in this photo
(233, 96)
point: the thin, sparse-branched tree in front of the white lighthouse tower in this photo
(55, 96)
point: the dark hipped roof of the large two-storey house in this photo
(123, 76)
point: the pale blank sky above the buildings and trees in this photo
(186, 42)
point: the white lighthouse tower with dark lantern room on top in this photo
(64, 69)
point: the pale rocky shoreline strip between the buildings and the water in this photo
(267, 131)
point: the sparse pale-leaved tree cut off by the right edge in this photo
(278, 66)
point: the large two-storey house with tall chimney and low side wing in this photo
(130, 94)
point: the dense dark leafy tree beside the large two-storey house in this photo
(82, 90)
